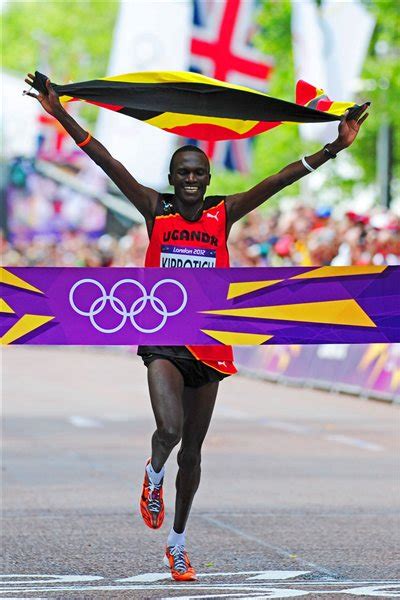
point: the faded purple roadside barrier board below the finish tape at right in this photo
(370, 370)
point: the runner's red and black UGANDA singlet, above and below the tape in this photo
(176, 242)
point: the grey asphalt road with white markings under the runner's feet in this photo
(299, 495)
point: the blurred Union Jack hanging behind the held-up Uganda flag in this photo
(221, 47)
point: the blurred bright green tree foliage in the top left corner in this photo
(69, 41)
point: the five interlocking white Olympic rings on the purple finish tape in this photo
(136, 307)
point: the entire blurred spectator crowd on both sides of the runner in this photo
(301, 235)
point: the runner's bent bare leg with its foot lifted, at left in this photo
(166, 389)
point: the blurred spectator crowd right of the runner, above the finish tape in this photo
(306, 236)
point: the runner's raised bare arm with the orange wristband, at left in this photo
(142, 197)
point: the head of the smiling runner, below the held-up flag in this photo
(190, 176)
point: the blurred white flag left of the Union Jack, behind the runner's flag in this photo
(148, 36)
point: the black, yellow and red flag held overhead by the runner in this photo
(199, 107)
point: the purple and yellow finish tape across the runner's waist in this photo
(238, 306)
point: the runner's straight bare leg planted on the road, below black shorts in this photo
(198, 405)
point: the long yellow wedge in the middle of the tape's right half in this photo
(333, 312)
